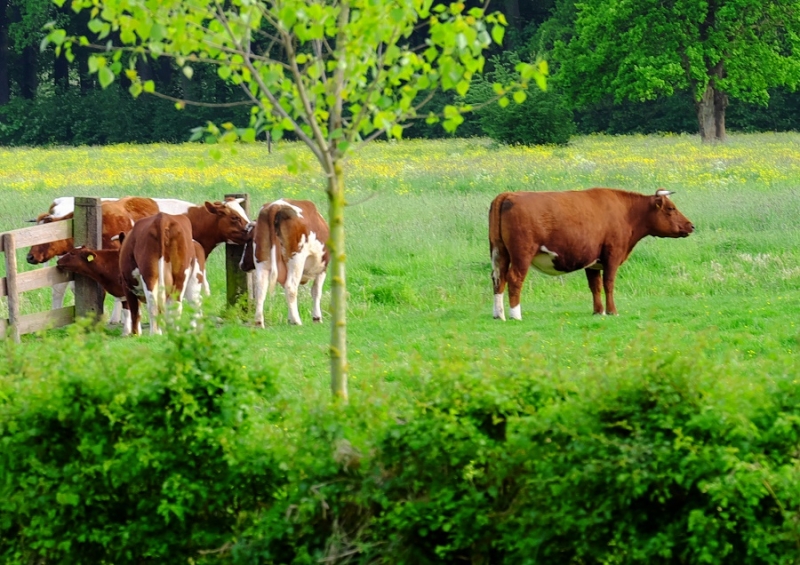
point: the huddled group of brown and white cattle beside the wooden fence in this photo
(154, 250)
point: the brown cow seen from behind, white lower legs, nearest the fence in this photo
(159, 264)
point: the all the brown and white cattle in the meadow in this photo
(154, 250)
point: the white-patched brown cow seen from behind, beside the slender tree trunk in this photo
(288, 247)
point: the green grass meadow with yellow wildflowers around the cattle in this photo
(418, 264)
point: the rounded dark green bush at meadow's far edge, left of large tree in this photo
(540, 117)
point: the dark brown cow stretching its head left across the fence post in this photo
(102, 266)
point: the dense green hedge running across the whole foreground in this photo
(185, 456)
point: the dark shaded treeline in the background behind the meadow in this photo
(46, 99)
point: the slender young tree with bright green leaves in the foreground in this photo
(337, 73)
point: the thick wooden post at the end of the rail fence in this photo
(87, 229)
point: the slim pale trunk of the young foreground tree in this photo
(338, 348)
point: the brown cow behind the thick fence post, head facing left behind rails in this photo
(118, 216)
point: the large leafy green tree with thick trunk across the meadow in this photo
(717, 49)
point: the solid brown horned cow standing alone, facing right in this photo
(561, 232)
